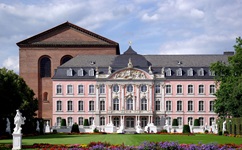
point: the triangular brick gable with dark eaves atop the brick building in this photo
(67, 35)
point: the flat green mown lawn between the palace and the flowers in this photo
(126, 139)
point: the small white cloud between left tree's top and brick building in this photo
(12, 63)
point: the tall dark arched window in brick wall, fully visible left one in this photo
(45, 67)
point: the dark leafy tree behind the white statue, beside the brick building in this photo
(15, 94)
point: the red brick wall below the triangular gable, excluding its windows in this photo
(29, 70)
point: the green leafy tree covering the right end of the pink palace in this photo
(228, 78)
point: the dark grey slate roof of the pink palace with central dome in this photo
(157, 63)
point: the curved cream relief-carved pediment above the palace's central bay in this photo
(130, 74)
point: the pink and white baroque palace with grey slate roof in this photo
(132, 87)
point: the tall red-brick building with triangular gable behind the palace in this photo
(41, 54)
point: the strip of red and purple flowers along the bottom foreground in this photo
(144, 146)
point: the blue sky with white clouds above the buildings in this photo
(153, 26)
